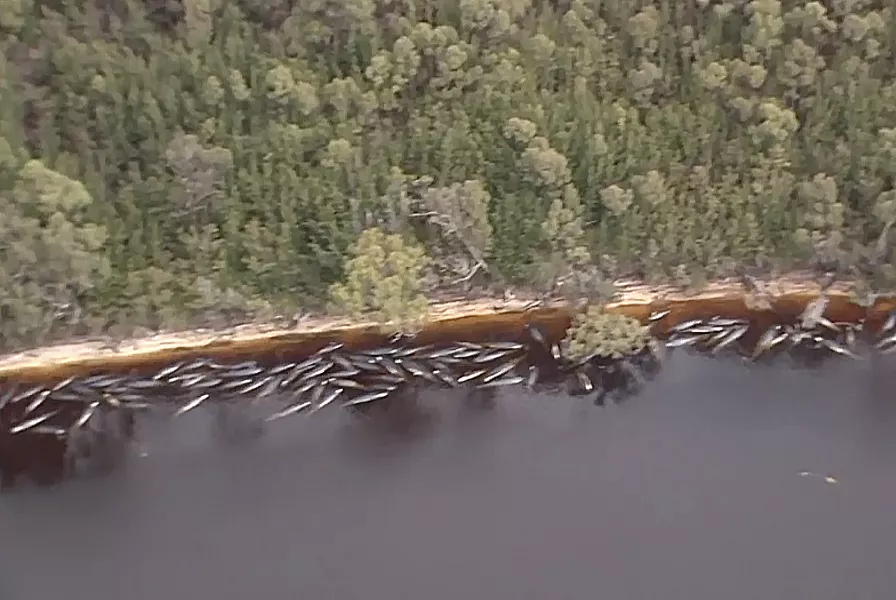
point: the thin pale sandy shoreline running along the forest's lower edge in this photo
(630, 294)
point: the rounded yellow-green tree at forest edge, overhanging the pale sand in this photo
(383, 281)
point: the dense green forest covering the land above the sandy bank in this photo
(169, 163)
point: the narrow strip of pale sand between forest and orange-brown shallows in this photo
(630, 293)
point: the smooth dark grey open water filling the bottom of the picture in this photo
(691, 490)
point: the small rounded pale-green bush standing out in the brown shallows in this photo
(605, 334)
